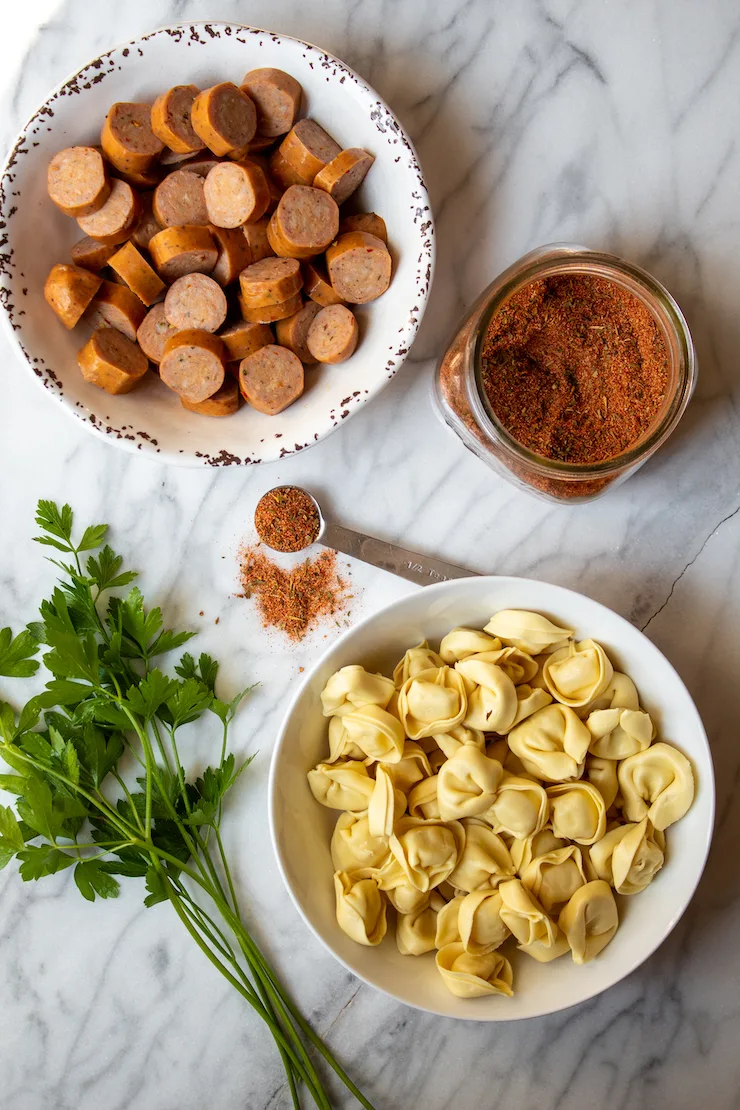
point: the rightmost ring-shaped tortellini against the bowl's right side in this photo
(657, 784)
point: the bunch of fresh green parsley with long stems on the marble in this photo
(107, 708)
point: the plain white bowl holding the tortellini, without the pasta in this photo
(301, 829)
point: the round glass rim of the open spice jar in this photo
(557, 259)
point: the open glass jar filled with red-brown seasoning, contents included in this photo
(571, 370)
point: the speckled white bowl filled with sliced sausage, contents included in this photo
(215, 221)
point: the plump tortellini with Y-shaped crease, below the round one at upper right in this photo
(552, 744)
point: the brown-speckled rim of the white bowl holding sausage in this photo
(127, 437)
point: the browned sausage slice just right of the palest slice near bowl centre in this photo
(305, 224)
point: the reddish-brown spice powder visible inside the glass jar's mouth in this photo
(575, 368)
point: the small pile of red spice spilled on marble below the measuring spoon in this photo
(293, 601)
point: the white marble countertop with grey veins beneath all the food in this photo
(609, 122)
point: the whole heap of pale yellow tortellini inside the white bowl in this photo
(500, 793)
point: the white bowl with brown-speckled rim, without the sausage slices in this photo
(151, 420)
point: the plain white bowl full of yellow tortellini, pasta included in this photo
(493, 800)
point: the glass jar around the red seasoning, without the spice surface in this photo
(465, 408)
